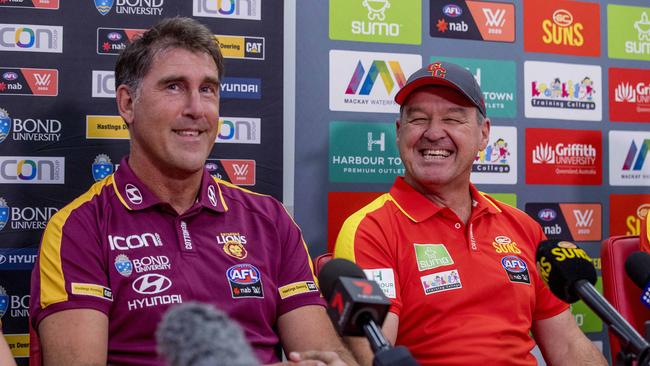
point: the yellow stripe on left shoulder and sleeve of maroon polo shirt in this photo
(51, 272)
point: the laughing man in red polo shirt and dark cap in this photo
(458, 266)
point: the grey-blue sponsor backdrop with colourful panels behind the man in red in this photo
(566, 84)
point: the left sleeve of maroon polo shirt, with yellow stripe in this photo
(70, 270)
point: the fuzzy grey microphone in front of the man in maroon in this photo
(194, 334)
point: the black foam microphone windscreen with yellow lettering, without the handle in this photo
(561, 264)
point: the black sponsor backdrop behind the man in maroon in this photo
(59, 128)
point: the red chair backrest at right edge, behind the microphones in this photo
(618, 289)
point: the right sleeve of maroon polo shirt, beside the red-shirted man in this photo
(296, 280)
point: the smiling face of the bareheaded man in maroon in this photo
(173, 118)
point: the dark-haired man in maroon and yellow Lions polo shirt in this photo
(162, 231)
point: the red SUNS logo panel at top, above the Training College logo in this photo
(564, 27)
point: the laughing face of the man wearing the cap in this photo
(438, 136)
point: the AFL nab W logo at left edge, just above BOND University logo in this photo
(25, 81)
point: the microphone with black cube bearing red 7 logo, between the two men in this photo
(356, 306)
